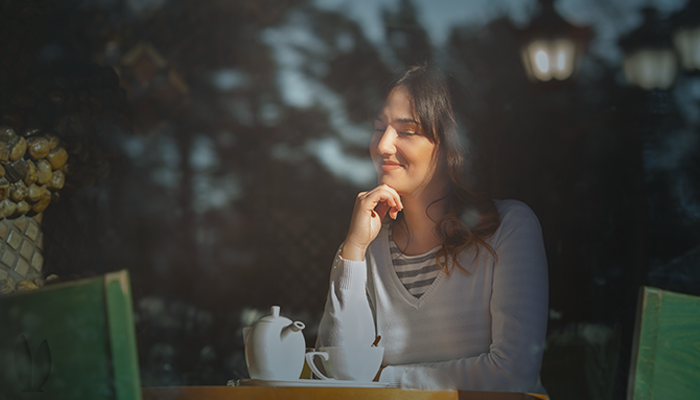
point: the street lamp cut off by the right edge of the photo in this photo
(687, 37)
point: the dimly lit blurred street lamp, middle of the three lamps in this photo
(650, 61)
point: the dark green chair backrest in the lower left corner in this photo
(70, 341)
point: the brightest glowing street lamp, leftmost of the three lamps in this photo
(551, 46)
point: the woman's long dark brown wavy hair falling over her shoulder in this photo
(472, 216)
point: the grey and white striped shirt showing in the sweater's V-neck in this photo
(416, 273)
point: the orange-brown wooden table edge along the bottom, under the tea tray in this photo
(318, 393)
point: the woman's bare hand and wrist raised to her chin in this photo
(367, 215)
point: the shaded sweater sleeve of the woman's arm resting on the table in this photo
(518, 306)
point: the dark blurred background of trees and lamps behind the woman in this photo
(228, 140)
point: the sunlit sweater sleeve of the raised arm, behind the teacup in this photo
(347, 318)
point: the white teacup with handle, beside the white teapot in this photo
(347, 363)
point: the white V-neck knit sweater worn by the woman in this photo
(482, 331)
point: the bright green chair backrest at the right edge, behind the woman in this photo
(666, 347)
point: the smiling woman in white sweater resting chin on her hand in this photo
(454, 283)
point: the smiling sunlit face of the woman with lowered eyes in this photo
(405, 159)
